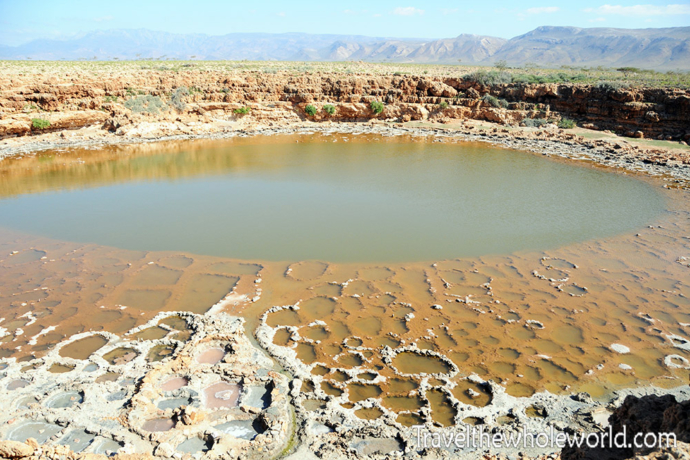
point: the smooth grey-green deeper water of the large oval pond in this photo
(276, 199)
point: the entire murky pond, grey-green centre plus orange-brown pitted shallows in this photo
(531, 312)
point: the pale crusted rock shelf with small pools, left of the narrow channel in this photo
(151, 408)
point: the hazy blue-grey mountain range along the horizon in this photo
(662, 49)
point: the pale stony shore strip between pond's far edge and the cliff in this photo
(618, 153)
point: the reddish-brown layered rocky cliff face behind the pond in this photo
(74, 100)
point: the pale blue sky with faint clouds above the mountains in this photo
(22, 21)
